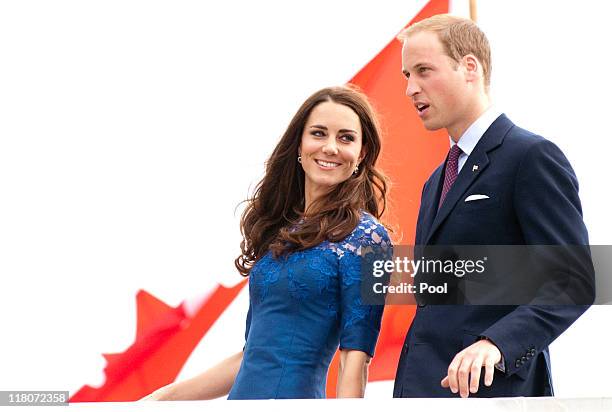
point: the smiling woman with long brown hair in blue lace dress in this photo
(311, 220)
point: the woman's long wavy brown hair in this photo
(275, 219)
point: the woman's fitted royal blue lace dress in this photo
(302, 306)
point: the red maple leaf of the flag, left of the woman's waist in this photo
(165, 337)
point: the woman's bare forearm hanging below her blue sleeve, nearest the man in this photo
(352, 374)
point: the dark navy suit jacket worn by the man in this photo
(533, 200)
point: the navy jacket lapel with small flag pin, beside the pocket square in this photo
(492, 138)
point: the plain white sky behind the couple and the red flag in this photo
(130, 130)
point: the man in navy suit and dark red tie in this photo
(499, 185)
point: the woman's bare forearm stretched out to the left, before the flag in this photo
(213, 383)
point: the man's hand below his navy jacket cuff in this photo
(467, 365)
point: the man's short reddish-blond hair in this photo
(459, 37)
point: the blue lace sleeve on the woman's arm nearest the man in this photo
(360, 321)
